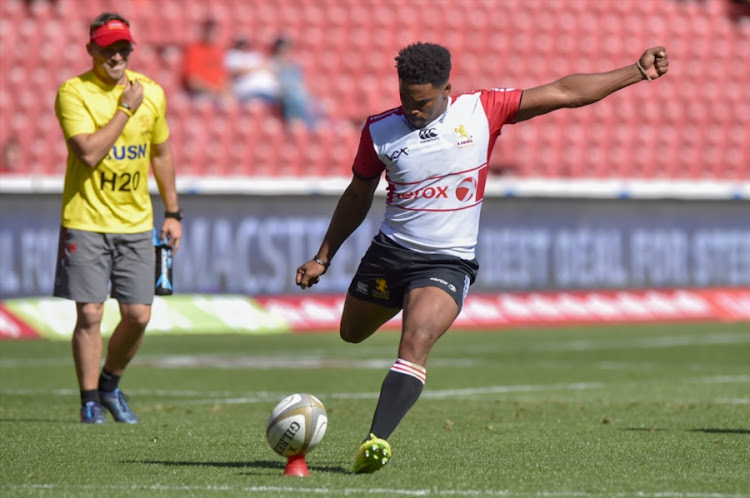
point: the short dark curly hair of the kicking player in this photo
(421, 63)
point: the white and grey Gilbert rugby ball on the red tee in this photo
(297, 425)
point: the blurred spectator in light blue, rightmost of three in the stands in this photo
(296, 104)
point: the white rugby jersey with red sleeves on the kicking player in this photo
(436, 175)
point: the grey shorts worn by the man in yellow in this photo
(87, 262)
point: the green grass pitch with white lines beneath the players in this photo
(648, 411)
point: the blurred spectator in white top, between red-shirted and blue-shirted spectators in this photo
(253, 77)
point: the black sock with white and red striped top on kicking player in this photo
(401, 389)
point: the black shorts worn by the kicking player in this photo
(388, 271)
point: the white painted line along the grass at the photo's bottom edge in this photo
(364, 491)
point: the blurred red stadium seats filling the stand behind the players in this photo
(694, 127)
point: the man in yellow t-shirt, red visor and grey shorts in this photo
(114, 123)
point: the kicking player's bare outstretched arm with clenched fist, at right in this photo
(577, 90)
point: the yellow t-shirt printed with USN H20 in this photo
(112, 197)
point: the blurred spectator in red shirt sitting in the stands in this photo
(204, 74)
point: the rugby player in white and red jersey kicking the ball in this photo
(434, 149)
